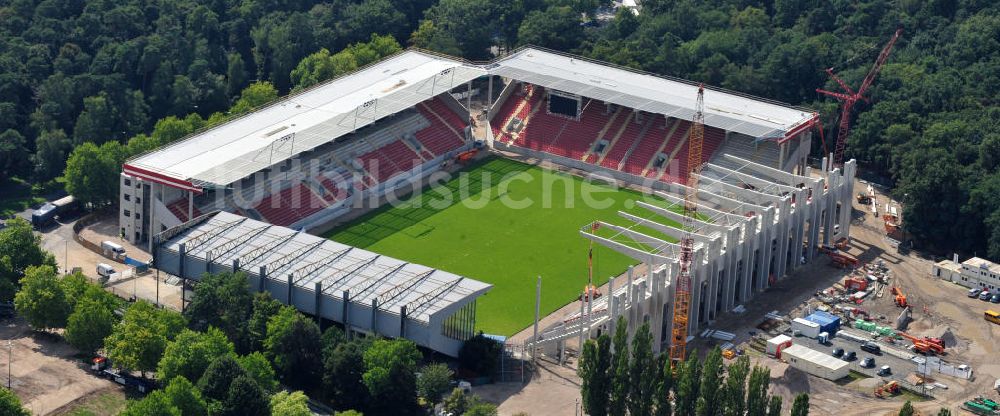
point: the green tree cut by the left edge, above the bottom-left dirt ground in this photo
(20, 248)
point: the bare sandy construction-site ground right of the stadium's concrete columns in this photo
(938, 306)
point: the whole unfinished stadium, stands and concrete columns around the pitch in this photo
(246, 194)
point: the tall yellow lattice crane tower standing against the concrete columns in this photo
(682, 294)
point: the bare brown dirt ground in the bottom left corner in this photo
(44, 371)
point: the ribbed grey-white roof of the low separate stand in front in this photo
(308, 259)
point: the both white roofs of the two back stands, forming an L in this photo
(234, 150)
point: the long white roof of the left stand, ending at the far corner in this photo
(300, 122)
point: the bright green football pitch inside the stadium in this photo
(504, 222)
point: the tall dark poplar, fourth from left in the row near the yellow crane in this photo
(642, 373)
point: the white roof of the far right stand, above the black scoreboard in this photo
(755, 117)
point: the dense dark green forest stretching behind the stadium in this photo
(140, 74)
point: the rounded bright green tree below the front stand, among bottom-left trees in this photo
(190, 353)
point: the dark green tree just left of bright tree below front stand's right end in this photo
(343, 368)
